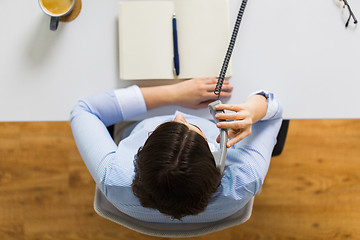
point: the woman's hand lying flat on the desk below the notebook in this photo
(198, 92)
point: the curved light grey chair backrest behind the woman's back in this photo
(105, 209)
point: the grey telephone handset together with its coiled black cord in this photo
(220, 155)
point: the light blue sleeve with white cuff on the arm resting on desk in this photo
(89, 119)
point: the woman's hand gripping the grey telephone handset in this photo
(242, 116)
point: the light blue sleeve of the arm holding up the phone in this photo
(254, 152)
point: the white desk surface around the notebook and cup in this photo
(298, 49)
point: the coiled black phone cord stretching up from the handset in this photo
(224, 67)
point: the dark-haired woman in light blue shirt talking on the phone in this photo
(164, 170)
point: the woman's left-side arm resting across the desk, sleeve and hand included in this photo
(90, 116)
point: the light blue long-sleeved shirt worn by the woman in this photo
(112, 167)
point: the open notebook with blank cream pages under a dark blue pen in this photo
(146, 41)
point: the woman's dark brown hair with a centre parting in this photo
(175, 171)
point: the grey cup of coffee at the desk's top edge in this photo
(56, 9)
